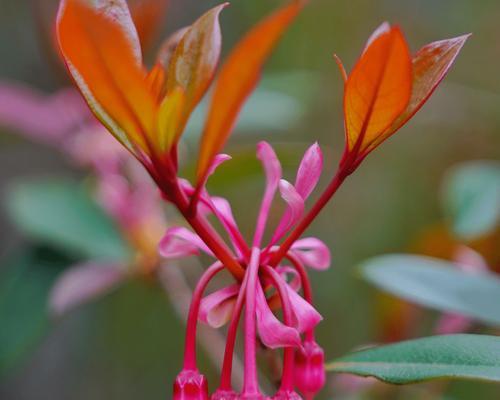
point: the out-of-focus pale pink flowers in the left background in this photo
(122, 188)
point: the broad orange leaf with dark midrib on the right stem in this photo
(378, 89)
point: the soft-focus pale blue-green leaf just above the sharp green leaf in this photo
(437, 284)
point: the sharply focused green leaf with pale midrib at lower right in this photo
(448, 356)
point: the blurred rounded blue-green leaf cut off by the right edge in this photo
(472, 198)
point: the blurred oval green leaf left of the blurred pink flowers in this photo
(61, 213)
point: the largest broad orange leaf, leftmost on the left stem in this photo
(100, 48)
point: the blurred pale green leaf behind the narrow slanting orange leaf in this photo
(279, 103)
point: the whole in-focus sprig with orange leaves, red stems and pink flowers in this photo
(147, 111)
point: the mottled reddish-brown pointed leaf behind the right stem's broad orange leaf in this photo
(430, 66)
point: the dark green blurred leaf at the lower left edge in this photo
(25, 281)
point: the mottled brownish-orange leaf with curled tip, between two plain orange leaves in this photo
(195, 59)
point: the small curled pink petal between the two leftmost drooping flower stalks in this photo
(217, 308)
